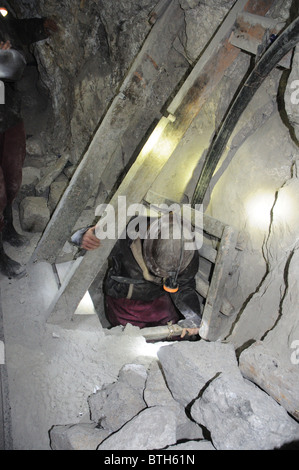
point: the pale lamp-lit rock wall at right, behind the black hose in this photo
(254, 189)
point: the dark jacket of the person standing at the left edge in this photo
(20, 33)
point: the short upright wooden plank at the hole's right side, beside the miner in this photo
(215, 295)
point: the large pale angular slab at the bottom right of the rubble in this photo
(240, 416)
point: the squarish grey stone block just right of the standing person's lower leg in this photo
(34, 214)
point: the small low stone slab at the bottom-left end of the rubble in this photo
(82, 436)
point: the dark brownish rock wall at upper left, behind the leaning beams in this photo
(83, 65)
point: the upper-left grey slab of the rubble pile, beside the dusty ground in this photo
(117, 403)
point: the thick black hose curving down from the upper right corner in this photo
(286, 41)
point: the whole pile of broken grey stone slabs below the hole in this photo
(193, 398)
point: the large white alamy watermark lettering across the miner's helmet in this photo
(188, 222)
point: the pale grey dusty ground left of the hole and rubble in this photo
(52, 370)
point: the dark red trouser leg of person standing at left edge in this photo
(13, 156)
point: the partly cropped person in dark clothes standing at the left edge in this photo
(15, 34)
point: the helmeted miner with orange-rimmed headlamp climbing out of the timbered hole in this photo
(151, 279)
